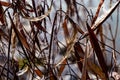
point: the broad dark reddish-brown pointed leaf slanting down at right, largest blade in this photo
(98, 50)
